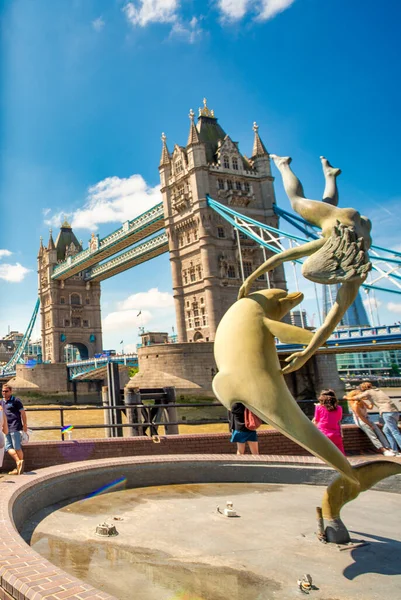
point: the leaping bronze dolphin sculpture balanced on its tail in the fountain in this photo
(250, 372)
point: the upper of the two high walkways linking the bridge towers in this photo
(129, 233)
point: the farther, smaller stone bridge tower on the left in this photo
(70, 309)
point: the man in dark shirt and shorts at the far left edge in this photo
(16, 419)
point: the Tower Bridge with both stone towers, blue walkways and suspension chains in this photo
(218, 220)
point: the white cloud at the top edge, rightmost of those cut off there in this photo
(234, 10)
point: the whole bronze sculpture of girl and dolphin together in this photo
(245, 352)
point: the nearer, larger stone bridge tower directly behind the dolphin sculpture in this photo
(207, 258)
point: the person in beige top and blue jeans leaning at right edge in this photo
(388, 411)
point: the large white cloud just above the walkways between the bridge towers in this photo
(111, 200)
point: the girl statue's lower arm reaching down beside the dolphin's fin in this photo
(345, 297)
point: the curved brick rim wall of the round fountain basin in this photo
(25, 574)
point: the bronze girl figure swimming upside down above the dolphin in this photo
(339, 256)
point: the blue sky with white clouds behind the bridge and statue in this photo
(87, 87)
